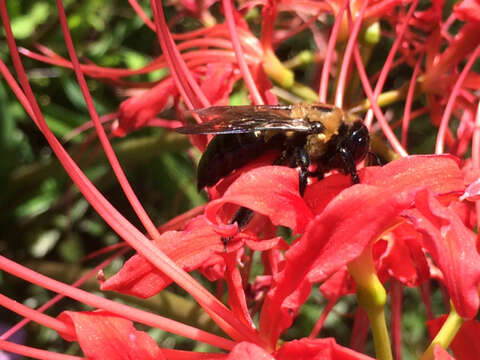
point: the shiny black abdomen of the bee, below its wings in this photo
(226, 153)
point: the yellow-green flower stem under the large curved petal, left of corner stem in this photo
(372, 297)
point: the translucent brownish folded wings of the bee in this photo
(245, 119)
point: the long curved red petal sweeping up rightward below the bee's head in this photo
(333, 239)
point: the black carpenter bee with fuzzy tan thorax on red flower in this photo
(304, 134)
